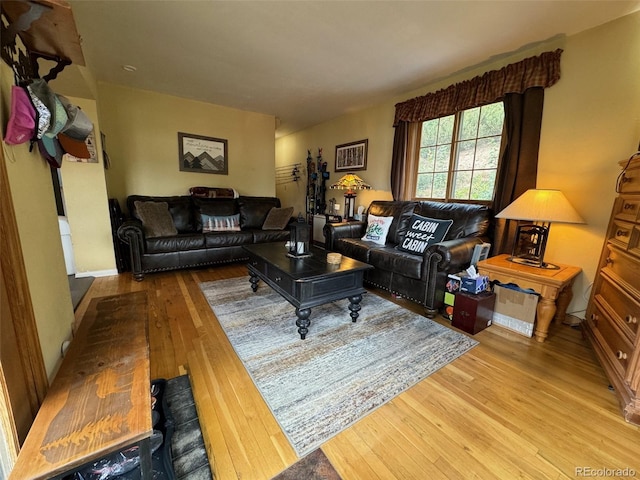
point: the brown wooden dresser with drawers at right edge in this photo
(614, 307)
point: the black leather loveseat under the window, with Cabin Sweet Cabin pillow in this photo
(420, 278)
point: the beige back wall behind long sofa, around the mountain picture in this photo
(141, 129)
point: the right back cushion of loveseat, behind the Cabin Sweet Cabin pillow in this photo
(469, 220)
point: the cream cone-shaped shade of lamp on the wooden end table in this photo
(540, 205)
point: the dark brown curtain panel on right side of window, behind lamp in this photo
(518, 158)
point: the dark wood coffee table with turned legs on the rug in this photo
(307, 282)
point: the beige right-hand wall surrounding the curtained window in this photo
(591, 121)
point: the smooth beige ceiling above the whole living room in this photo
(306, 62)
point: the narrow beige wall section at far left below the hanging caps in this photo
(36, 215)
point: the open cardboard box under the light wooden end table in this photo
(515, 310)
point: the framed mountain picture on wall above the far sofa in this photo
(202, 154)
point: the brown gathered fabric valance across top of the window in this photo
(540, 71)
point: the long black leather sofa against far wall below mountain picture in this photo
(190, 247)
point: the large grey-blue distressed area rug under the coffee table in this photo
(342, 371)
